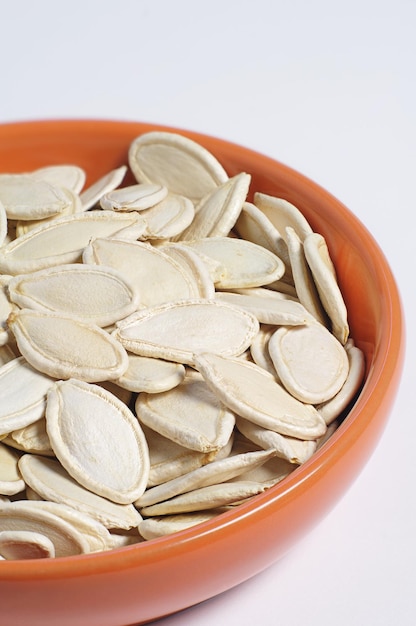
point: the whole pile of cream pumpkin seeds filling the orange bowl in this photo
(167, 349)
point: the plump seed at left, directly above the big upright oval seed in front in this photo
(65, 347)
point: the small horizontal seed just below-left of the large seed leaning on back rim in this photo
(134, 198)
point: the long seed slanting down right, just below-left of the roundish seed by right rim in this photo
(253, 393)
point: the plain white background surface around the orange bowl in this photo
(328, 88)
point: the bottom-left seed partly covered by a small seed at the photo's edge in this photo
(21, 515)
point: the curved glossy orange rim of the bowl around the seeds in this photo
(385, 373)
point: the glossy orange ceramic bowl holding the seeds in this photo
(137, 584)
